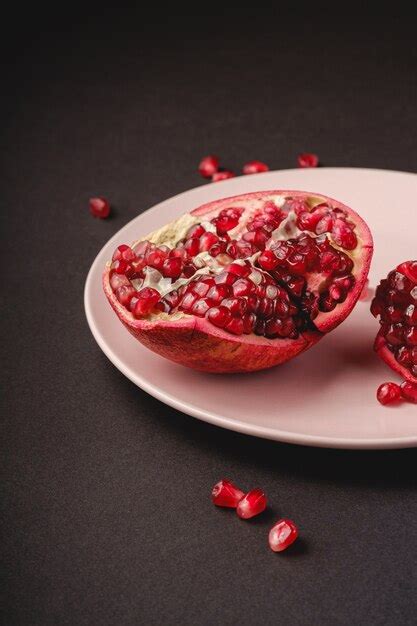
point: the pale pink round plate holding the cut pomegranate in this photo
(325, 397)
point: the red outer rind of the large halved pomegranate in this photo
(194, 342)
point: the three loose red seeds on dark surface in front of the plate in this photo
(226, 494)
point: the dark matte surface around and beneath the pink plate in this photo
(106, 514)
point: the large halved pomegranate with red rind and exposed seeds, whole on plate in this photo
(242, 283)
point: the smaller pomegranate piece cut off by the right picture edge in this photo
(395, 303)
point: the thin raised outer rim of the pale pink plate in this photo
(282, 436)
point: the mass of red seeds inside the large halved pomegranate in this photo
(268, 296)
